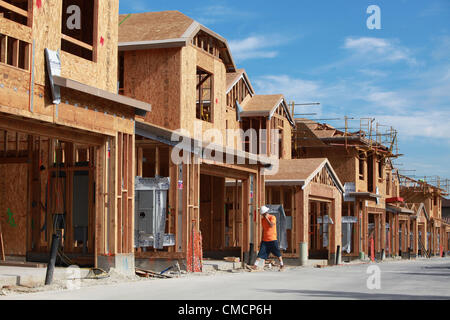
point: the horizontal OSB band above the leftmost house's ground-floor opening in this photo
(14, 98)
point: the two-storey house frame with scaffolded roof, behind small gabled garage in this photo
(363, 167)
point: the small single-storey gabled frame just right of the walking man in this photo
(310, 192)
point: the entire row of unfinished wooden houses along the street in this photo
(139, 142)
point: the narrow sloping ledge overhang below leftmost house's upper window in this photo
(141, 108)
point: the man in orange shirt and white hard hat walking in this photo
(269, 242)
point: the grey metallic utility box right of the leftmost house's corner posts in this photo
(151, 212)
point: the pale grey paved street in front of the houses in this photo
(409, 280)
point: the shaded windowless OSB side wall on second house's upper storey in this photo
(154, 76)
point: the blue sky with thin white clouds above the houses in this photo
(323, 51)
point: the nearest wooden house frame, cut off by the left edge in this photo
(46, 145)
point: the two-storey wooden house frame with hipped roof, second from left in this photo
(161, 55)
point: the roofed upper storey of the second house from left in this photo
(179, 65)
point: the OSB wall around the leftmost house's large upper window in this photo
(47, 34)
